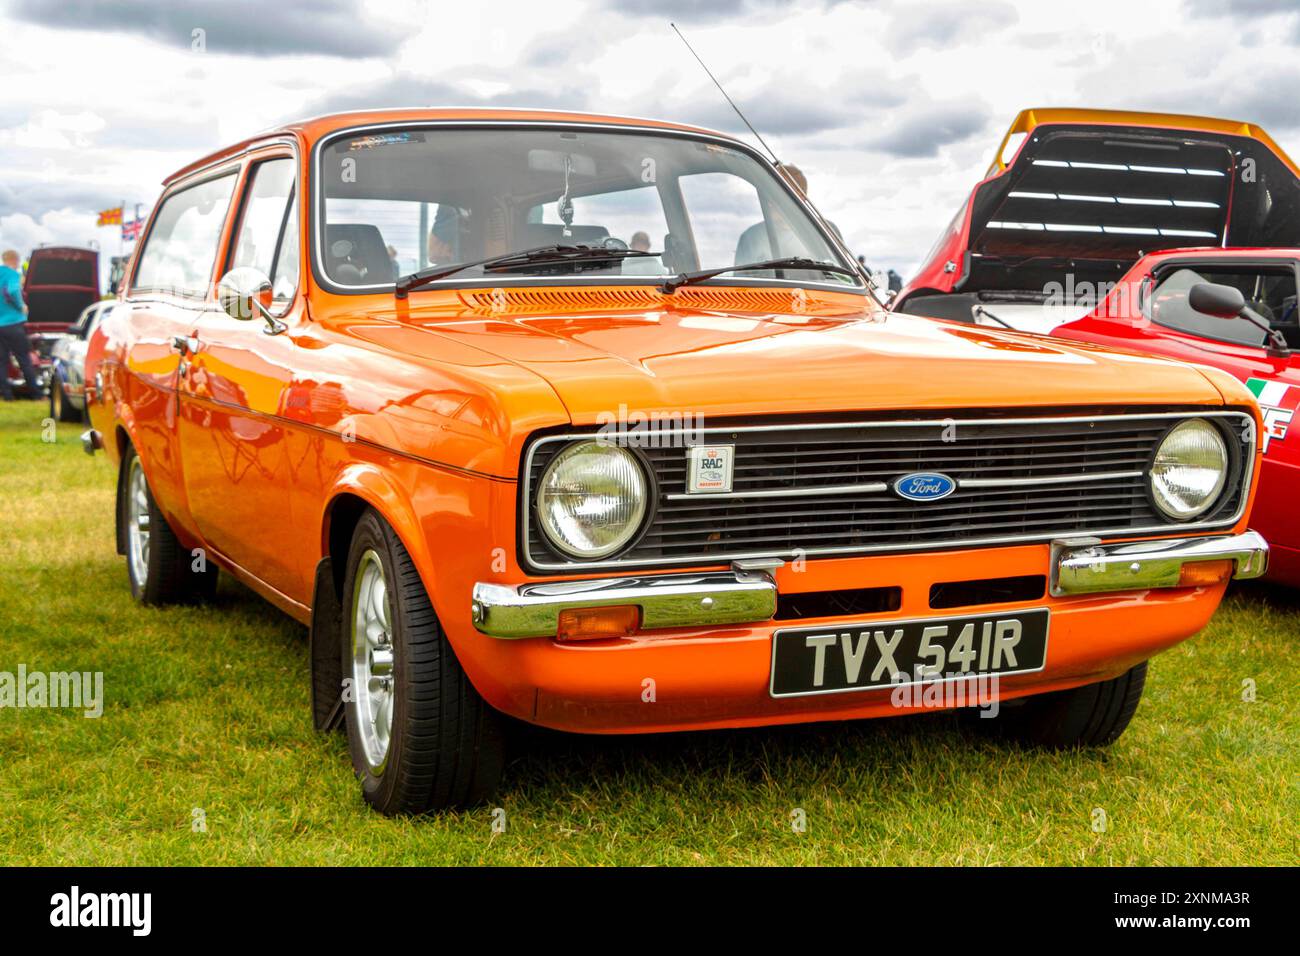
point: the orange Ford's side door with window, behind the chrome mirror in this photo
(231, 429)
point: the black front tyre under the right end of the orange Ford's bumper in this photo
(1089, 716)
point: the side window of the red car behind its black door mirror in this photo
(1269, 293)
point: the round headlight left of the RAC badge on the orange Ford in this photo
(592, 499)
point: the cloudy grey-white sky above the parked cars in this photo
(892, 109)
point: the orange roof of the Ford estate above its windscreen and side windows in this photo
(309, 131)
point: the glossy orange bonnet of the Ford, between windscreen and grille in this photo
(691, 361)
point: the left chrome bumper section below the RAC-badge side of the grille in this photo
(716, 598)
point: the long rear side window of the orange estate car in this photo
(183, 245)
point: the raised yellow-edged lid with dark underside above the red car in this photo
(1089, 193)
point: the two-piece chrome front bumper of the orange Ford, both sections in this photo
(1080, 566)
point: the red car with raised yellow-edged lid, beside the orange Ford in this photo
(1171, 236)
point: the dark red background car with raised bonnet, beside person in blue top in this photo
(60, 284)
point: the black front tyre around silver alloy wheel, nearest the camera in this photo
(447, 747)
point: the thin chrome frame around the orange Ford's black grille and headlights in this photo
(1247, 435)
